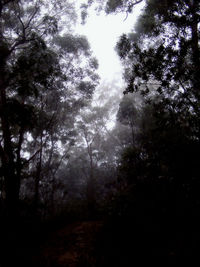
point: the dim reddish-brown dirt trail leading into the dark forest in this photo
(71, 246)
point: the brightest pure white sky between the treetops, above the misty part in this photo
(103, 32)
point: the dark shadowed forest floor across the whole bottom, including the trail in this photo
(102, 243)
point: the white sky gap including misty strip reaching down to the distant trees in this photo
(103, 32)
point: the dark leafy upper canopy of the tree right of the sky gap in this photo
(164, 50)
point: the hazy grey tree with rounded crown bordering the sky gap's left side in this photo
(56, 138)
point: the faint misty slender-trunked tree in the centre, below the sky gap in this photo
(91, 128)
